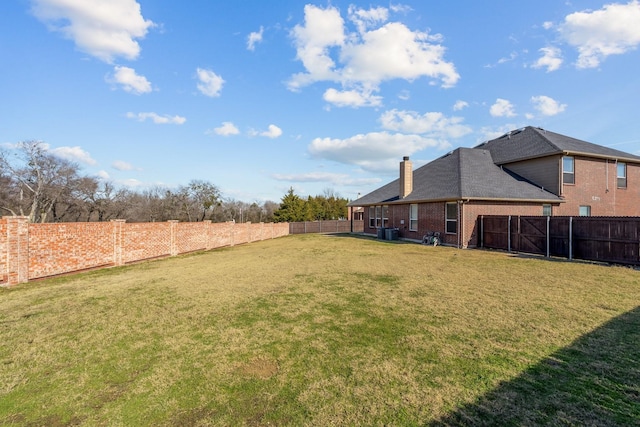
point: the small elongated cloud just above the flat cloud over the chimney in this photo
(433, 124)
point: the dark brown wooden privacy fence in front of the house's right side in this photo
(604, 239)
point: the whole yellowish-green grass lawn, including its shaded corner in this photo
(325, 330)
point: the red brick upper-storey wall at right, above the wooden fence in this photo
(596, 186)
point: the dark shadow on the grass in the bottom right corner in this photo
(594, 381)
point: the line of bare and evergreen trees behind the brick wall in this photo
(46, 188)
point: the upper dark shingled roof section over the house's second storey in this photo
(531, 142)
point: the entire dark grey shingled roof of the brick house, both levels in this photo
(481, 173)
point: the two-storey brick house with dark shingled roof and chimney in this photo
(529, 171)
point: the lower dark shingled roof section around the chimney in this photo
(465, 173)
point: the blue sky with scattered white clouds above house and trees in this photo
(257, 97)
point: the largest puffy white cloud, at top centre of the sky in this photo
(361, 60)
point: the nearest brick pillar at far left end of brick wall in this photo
(17, 248)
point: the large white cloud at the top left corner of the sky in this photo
(105, 30)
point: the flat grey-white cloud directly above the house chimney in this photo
(372, 151)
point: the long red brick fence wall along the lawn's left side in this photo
(33, 251)
